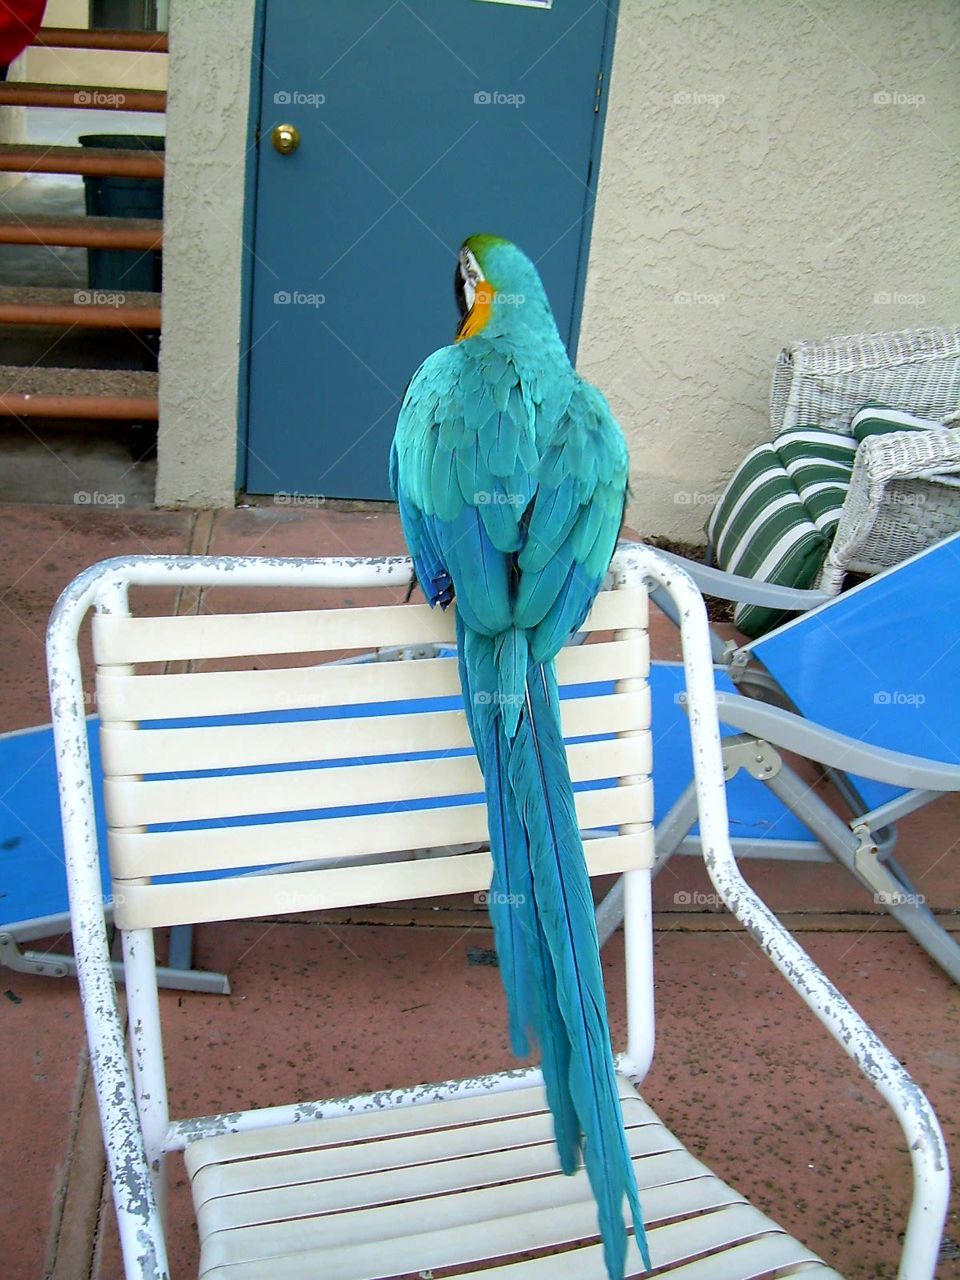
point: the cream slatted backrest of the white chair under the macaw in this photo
(266, 780)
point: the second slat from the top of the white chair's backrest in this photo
(236, 693)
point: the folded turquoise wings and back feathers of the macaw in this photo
(532, 515)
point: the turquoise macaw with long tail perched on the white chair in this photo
(511, 477)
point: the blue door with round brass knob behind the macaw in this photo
(419, 122)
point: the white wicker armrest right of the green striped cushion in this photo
(895, 508)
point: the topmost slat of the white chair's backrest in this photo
(235, 636)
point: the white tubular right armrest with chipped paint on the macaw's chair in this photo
(917, 1118)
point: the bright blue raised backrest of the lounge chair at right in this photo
(881, 662)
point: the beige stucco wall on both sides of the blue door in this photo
(752, 191)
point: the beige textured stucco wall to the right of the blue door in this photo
(770, 173)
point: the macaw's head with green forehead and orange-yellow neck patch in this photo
(499, 291)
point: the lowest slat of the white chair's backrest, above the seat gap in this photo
(147, 907)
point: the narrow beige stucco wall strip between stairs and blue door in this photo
(207, 154)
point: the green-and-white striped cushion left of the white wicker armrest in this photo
(779, 514)
